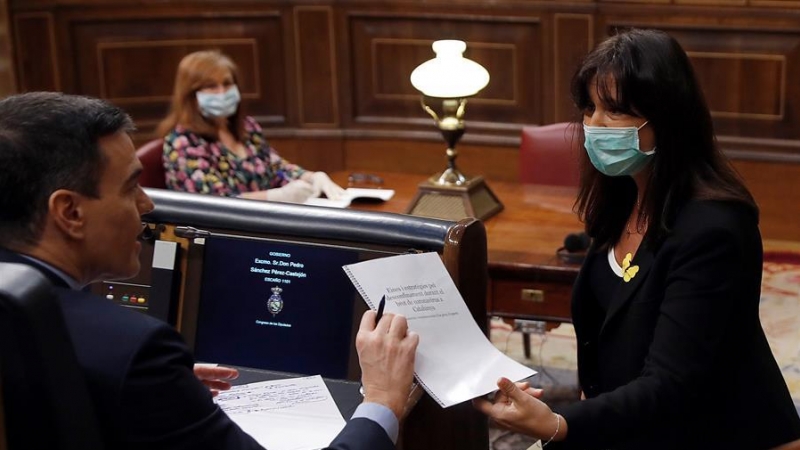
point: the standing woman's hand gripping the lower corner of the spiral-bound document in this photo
(517, 407)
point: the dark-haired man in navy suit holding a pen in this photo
(70, 206)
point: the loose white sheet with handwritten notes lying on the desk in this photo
(288, 414)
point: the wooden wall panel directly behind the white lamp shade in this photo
(386, 49)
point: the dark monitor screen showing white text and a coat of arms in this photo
(278, 305)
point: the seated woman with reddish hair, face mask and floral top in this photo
(212, 147)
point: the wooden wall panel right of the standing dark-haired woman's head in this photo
(747, 76)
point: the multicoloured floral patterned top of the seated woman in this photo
(194, 164)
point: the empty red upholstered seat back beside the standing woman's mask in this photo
(549, 154)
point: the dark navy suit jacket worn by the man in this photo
(140, 375)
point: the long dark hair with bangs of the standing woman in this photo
(651, 77)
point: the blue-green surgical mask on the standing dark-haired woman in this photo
(614, 151)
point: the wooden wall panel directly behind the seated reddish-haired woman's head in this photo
(133, 63)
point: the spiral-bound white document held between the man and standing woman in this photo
(455, 362)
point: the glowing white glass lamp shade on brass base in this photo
(449, 74)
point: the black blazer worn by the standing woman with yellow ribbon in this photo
(680, 360)
